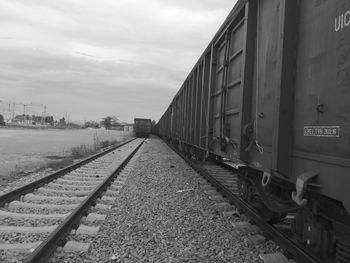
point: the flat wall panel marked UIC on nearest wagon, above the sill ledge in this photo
(322, 92)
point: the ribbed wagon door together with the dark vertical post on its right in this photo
(231, 102)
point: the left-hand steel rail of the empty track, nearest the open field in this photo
(16, 193)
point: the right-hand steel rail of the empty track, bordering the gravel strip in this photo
(56, 238)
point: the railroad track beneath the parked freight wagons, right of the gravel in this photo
(224, 178)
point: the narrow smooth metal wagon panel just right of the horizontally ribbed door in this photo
(266, 85)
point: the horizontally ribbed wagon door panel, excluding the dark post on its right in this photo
(227, 92)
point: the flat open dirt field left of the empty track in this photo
(23, 151)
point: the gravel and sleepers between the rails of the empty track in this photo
(23, 221)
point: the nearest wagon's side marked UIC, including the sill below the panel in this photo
(321, 124)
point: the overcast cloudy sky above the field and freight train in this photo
(88, 59)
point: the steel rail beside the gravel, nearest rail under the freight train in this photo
(300, 254)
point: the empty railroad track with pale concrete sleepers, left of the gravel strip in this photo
(37, 218)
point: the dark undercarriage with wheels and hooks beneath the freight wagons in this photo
(321, 224)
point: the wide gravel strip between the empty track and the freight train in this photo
(162, 214)
